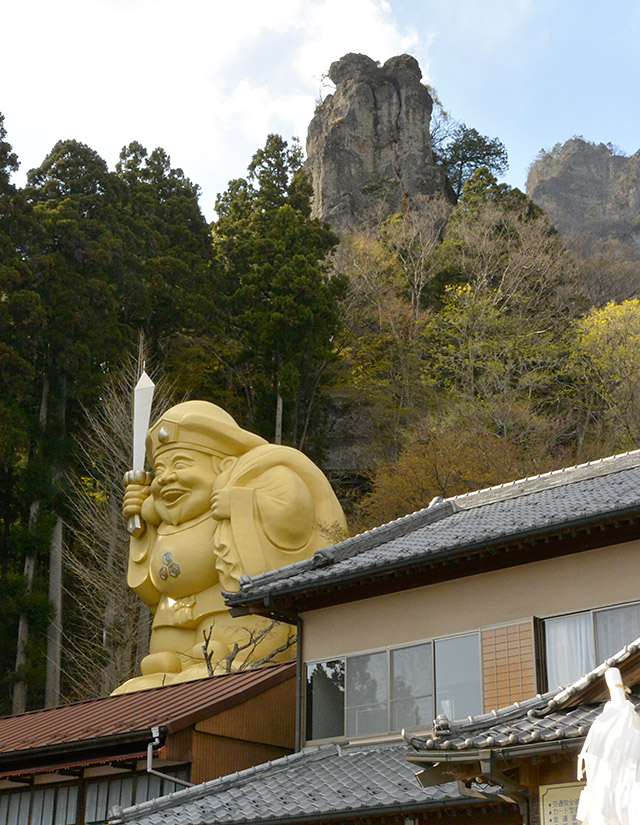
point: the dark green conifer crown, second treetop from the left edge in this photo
(74, 199)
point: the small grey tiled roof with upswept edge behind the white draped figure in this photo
(559, 716)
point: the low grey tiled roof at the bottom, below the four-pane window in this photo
(322, 782)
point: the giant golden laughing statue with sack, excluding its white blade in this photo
(222, 502)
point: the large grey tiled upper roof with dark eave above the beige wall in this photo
(357, 563)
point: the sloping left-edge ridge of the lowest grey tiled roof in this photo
(234, 779)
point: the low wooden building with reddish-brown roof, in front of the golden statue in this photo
(70, 765)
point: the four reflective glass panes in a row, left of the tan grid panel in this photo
(387, 690)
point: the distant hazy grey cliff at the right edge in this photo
(587, 189)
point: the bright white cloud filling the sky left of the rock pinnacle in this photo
(206, 80)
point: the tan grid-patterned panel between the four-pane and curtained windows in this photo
(508, 664)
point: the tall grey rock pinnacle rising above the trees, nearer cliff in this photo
(368, 145)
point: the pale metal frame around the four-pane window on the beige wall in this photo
(305, 698)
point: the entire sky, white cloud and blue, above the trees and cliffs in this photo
(208, 80)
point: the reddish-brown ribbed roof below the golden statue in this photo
(175, 706)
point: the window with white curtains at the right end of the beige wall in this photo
(575, 644)
